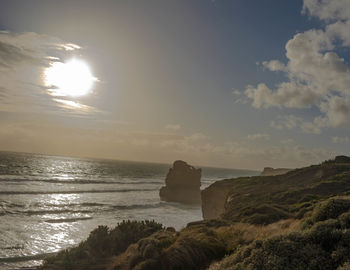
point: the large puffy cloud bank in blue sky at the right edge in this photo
(317, 76)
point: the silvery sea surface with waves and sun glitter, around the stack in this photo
(48, 203)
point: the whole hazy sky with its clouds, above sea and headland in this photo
(238, 84)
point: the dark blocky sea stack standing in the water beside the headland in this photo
(183, 183)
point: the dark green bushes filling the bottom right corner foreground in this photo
(324, 243)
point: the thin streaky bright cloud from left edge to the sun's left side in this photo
(23, 59)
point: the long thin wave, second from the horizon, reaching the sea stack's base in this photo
(72, 191)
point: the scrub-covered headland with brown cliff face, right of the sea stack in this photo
(263, 200)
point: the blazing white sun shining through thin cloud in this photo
(72, 78)
